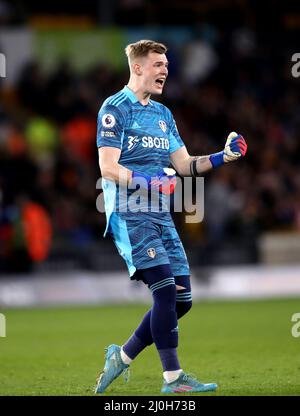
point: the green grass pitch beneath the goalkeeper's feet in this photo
(245, 346)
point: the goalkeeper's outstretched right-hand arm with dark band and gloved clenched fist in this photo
(186, 165)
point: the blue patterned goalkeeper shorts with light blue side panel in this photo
(144, 244)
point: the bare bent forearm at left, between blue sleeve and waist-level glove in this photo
(110, 167)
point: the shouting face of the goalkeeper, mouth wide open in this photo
(154, 72)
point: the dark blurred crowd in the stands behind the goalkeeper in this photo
(221, 81)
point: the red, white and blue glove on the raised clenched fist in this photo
(235, 147)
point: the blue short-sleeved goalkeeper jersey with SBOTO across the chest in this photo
(146, 135)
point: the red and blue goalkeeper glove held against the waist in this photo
(164, 181)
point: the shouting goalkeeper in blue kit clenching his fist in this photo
(137, 141)
